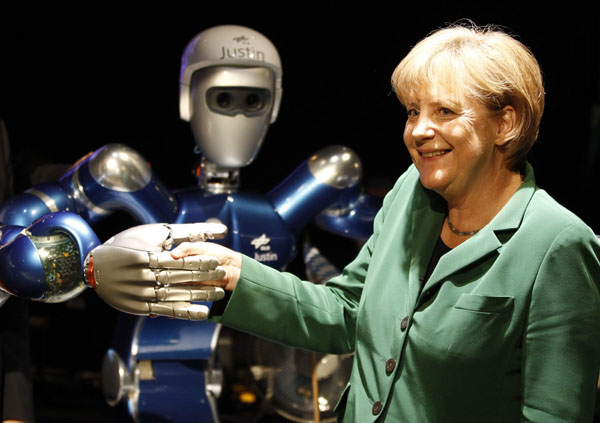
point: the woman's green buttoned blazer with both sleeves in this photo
(506, 329)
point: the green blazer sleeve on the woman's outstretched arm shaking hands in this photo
(281, 307)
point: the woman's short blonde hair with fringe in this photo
(484, 64)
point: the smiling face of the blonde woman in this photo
(452, 142)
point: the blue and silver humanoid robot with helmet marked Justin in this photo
(167, 369)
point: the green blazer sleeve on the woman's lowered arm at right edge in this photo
(561, 351)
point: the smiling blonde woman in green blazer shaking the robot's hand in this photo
(476, 299)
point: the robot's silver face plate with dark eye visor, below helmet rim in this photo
(231, 112)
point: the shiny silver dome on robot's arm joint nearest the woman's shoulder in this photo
(337, 166)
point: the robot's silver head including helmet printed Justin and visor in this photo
(230, 91)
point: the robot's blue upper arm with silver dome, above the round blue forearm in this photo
(114, 177)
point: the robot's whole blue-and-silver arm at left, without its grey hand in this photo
(42, 250)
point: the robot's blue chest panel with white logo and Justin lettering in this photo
(255, 228)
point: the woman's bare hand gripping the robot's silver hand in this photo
(228, 259)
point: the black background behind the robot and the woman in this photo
(74, 79)
